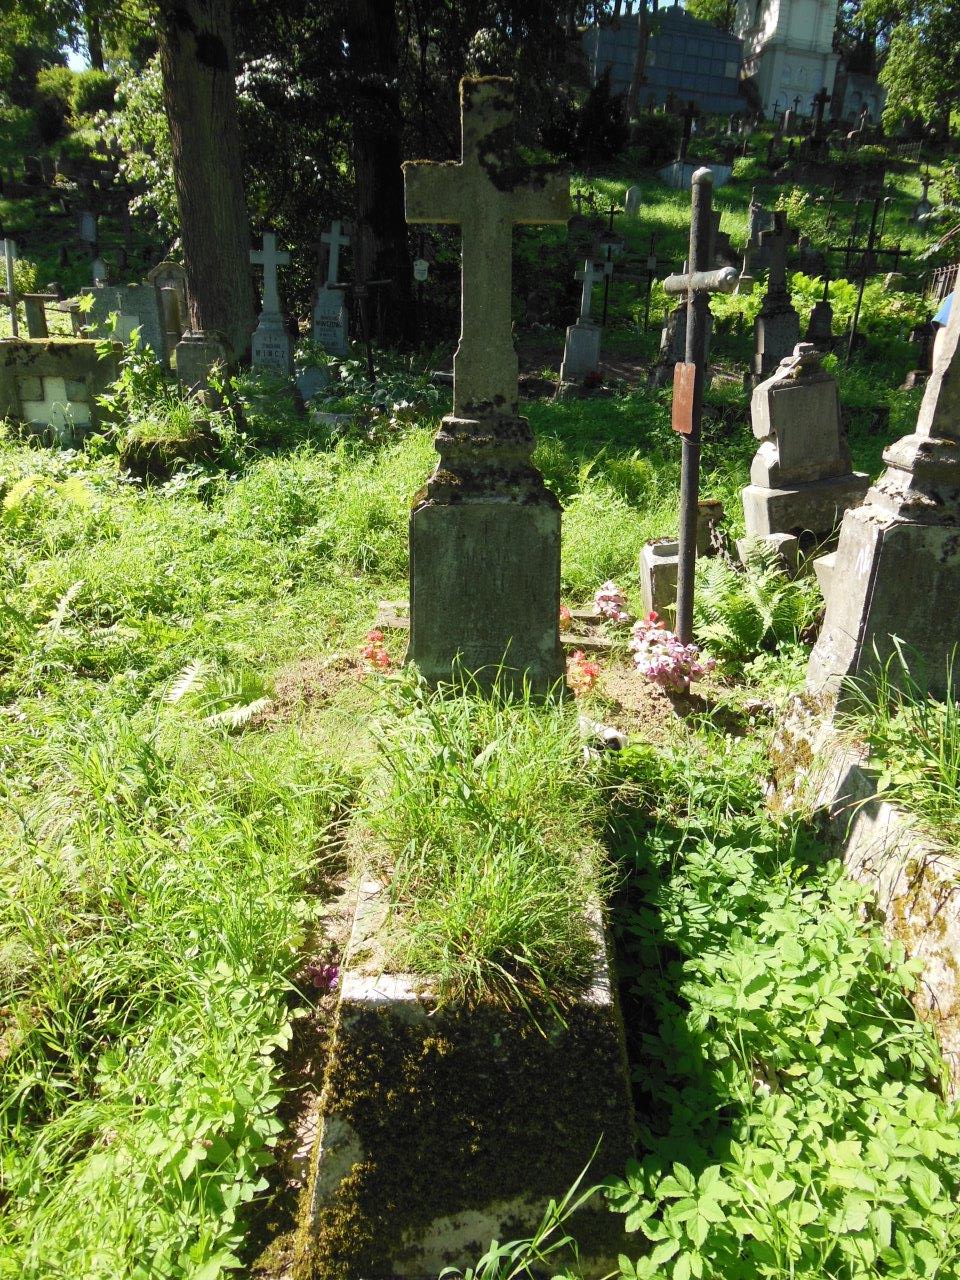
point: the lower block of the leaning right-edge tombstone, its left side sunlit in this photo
(899, 579)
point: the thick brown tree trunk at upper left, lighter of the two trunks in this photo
(200, 95)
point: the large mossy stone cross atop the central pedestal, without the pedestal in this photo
(486, 194)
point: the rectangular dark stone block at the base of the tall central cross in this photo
(484, 591)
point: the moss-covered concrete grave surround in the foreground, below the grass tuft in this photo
(444, 1128)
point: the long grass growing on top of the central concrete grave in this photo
(488, 826)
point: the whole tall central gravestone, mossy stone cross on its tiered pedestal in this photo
(486, 529)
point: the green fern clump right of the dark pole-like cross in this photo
(739, 611)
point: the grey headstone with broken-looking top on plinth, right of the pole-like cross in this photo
(802, 481)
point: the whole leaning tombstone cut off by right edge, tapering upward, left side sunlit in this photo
(898, 566)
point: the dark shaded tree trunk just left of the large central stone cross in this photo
(381, 249)
